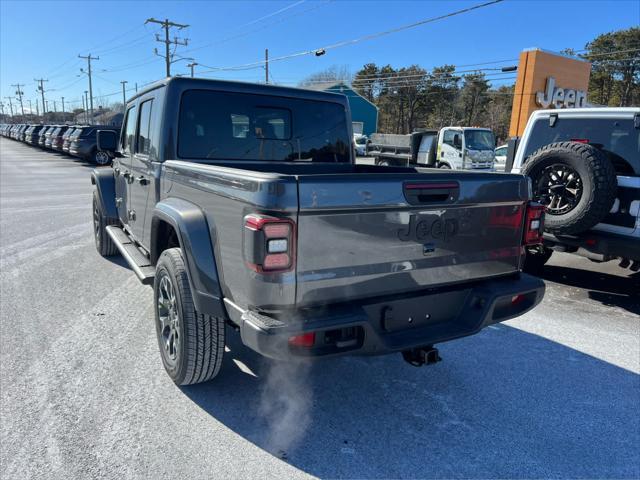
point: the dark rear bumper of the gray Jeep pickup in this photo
(392, 324)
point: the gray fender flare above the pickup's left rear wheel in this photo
(197, 239)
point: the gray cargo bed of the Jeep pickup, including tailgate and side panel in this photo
(362, 230)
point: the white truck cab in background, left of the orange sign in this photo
(462, 148)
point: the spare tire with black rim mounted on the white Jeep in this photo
(575, 182)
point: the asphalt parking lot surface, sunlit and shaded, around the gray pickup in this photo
(555, 393)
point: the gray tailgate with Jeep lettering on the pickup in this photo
(371, 234)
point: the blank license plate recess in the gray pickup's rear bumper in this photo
(415, 312)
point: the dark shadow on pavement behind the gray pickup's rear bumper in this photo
(504, 403)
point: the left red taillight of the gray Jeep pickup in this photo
(269, 244)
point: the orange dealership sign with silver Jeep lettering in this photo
(547, 80)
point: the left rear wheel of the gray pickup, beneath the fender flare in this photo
(191, 344)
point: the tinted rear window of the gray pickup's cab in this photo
(232, 126)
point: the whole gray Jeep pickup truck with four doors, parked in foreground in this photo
(243, 206)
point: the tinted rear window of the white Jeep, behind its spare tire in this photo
(617, 138)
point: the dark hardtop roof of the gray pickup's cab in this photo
(241, 87)
